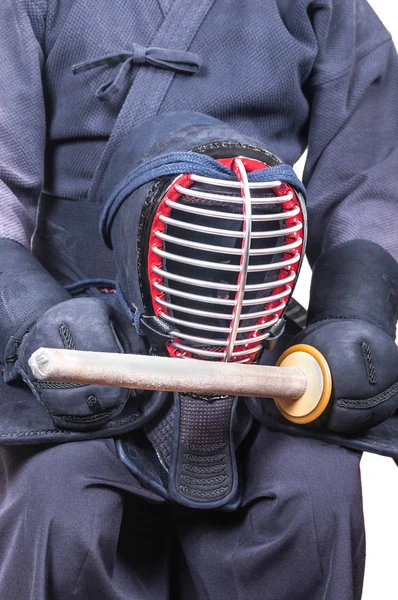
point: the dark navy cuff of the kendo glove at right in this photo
(355, 280)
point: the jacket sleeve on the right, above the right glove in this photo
(351, 172)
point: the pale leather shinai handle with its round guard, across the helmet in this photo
(288, 385)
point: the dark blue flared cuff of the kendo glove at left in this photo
(27, 291)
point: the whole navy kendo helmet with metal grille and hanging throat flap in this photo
(208, 232)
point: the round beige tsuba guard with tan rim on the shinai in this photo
(315, 399)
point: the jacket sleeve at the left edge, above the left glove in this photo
(22, 116)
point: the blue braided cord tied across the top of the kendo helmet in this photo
(178, 163)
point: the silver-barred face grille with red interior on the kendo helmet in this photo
(222, 260)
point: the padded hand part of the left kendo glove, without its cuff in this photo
(77, 324)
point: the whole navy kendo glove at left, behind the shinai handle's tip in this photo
(36, 311)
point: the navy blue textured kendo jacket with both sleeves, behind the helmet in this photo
(322, 73)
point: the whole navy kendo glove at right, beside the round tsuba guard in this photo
(352, 320)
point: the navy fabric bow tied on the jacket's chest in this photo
(165, 58)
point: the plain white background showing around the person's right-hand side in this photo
(379, 475)
